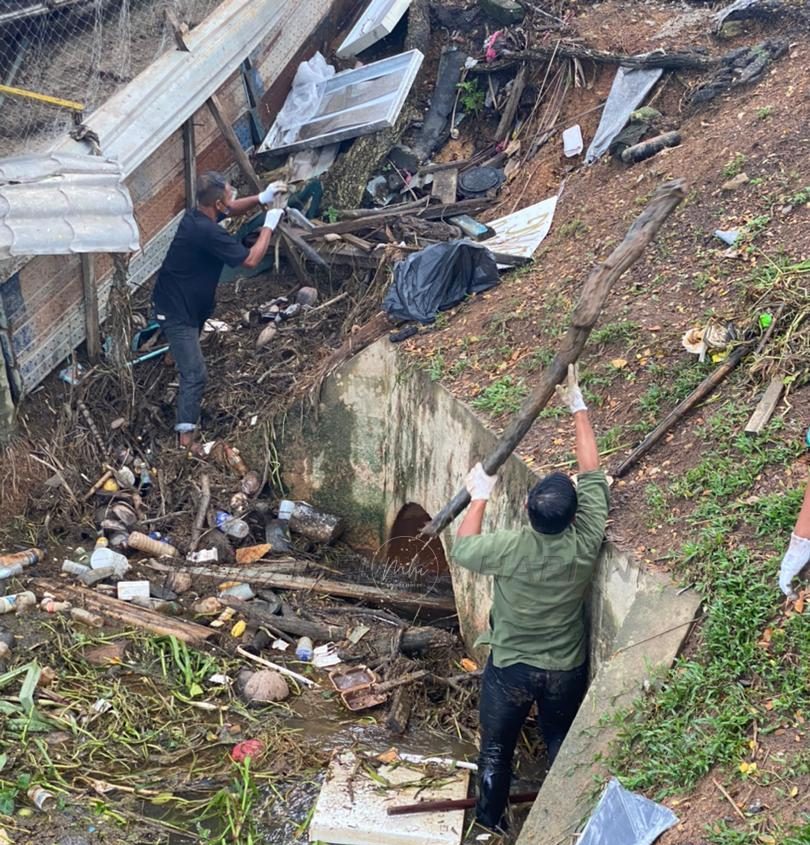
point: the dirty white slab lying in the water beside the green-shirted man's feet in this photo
(352, 810)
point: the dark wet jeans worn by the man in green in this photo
(506, 698)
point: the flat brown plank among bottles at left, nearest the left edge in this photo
(128, 614)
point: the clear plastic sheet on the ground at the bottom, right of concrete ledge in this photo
(623, 818)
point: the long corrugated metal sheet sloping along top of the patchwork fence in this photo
(133, 123)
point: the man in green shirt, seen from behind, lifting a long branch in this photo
(537, 638)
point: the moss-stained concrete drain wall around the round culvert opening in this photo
(384, 436)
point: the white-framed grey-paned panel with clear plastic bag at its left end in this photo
(351, 103)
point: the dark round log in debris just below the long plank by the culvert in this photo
(413, 640)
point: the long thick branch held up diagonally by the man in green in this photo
(591, 302)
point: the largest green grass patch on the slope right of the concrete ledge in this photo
(703, 713)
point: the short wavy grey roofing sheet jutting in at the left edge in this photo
(57, 204)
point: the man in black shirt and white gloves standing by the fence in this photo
(185, 291)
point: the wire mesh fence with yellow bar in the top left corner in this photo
(80, 51)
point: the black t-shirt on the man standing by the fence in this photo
(187, 282)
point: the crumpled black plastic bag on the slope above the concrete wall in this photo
(437, 278)
